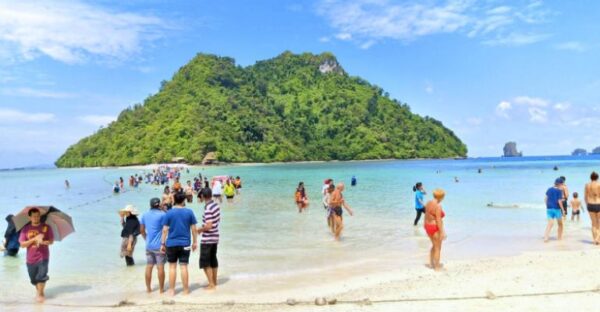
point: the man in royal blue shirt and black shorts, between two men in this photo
(179, 229)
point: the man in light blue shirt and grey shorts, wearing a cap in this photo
(151, 230)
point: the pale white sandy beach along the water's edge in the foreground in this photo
(542, 281)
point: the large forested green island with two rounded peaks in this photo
(294, 107)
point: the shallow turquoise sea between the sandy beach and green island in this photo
(266, 244)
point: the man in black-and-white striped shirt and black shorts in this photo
(210, 238)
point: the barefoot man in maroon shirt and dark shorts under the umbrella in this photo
(36, 237)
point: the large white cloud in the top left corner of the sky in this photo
(73, 31)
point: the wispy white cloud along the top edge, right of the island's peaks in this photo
(364, 20)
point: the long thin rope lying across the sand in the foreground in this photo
(366, 301)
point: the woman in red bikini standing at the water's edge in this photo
(434, 226)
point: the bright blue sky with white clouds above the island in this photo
(492, 71)
